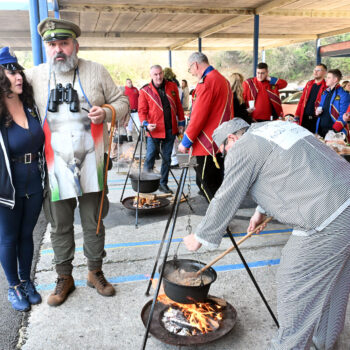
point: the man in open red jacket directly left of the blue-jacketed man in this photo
(311, 98)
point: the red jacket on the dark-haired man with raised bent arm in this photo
(267, 96)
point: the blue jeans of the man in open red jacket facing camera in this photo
(166, 147)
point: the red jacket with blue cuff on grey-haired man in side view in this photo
(212, 105)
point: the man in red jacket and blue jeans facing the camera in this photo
(161, 112)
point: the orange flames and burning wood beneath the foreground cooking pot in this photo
(203, 317)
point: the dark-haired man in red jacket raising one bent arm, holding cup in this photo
(261, 95)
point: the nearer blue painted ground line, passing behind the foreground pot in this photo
(145, 277)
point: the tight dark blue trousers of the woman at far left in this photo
(16, 237)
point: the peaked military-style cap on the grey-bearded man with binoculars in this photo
(52, 29)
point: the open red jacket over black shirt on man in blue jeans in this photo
(151, 109)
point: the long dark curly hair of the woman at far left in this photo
(5, 91)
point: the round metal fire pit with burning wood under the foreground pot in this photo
(189, 324)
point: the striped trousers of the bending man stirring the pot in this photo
(313, 286)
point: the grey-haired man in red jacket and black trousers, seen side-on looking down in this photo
(212, 105)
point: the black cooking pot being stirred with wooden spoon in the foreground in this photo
(187, 294)
